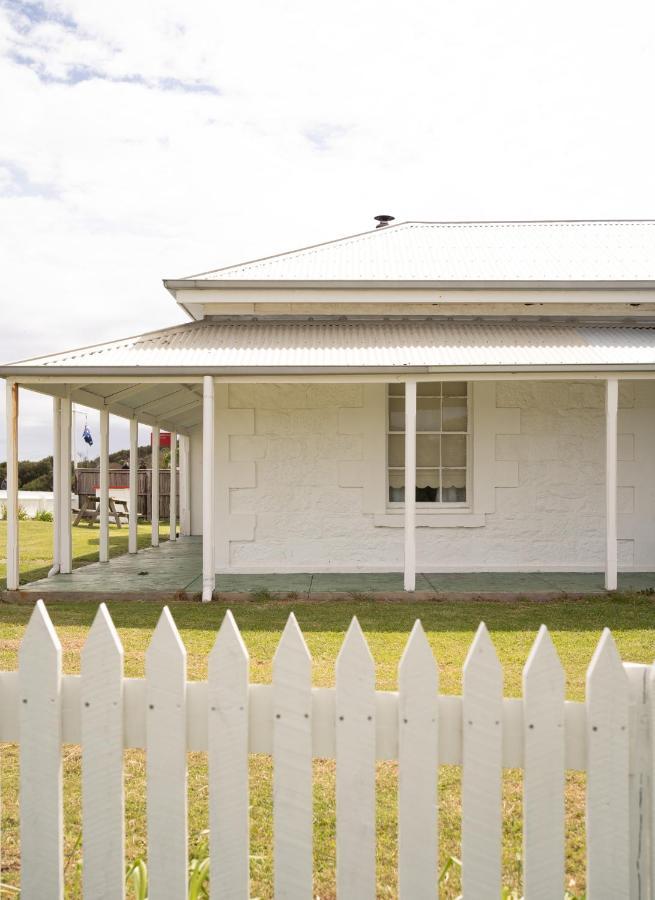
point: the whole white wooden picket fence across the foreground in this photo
(610, 736)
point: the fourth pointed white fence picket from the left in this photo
(229, 792)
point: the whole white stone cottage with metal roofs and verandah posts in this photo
(433, 396)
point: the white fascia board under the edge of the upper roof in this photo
(197, 300)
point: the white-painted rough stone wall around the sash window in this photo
(300, 477)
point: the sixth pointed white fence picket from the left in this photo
(355, 751)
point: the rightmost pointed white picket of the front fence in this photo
(608, 832)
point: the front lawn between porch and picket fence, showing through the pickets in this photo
(575, 626)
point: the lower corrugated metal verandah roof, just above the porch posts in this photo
(361, 344)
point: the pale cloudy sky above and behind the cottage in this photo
(144, 140)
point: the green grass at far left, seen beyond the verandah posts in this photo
(35, 543)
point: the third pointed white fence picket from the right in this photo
(482, 748)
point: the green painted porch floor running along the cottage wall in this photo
(177, 566)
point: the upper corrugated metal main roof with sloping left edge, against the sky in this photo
(466, 251)
